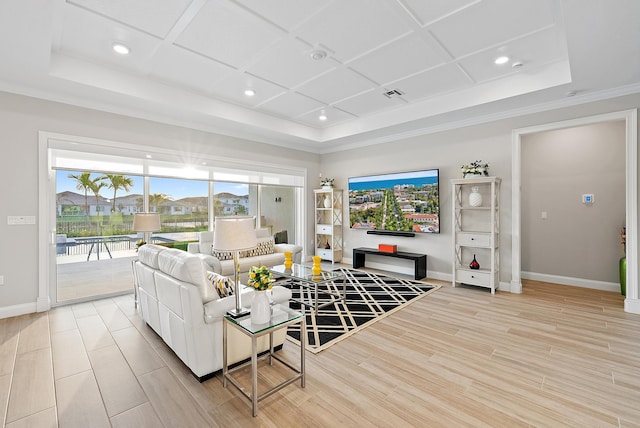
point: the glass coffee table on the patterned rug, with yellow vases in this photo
(301, 275)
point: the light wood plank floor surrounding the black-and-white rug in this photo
(552, 356)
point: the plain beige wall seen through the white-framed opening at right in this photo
(576, 240)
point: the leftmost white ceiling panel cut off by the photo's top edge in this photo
(156, 17)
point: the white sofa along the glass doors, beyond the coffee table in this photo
(271, 254)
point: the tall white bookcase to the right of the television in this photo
(476, 232)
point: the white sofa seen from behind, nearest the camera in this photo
(177, 302)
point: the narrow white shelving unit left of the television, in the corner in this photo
(328, 207)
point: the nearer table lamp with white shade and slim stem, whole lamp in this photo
(235, 234)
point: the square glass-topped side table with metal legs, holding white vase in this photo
(282, 317)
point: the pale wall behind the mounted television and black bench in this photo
(445, 151)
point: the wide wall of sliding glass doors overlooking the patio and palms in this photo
(100, 185)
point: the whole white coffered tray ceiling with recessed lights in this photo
(376, 69)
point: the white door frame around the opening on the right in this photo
(632, 301)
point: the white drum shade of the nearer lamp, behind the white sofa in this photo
(234, 233)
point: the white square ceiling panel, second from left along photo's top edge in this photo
(228, 34)
